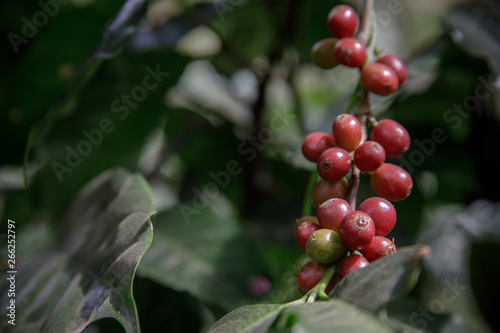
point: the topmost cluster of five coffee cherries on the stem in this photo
(382, 76)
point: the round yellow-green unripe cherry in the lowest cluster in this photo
(325, 246)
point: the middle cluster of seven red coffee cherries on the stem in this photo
(336, 154)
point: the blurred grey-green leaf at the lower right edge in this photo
(451, 232)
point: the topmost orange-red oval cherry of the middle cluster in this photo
(347, 132)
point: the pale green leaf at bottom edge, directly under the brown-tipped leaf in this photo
(333, 316)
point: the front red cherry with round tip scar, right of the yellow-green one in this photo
(357, 230)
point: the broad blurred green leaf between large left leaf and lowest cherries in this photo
(206, 255)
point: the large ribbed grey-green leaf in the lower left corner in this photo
(87, 275)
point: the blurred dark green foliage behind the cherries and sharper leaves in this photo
(218, 138)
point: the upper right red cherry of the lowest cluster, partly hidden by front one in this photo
(382, 213)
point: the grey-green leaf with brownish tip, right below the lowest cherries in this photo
(371, 287)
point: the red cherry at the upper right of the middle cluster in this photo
(392, 136)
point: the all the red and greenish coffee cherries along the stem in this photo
(340, 234)
